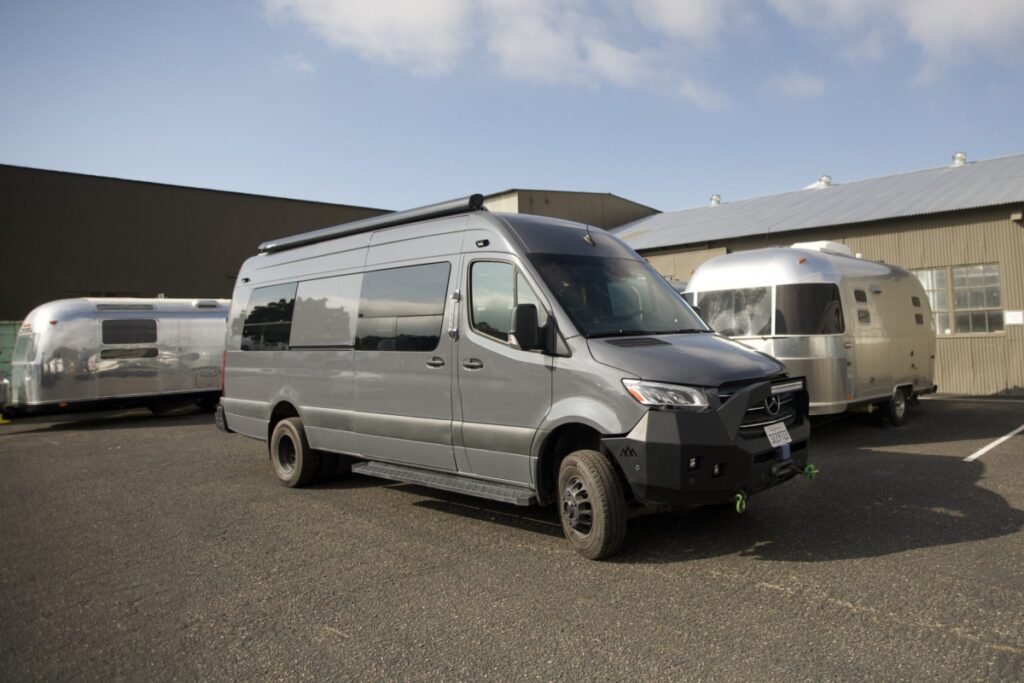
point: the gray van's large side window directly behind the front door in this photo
(403, 310)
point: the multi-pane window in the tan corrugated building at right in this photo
(965, 300)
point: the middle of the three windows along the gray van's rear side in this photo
(325, 312)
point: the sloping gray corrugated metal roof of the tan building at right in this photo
(976, 185)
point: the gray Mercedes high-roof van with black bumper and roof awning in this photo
(514, 358)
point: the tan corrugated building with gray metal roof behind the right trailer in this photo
(959, 228)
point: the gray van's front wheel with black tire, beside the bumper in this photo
(591, 505)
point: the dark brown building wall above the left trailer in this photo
(66, 235)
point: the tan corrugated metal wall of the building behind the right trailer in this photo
(979, 365)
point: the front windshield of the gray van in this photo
(611, 297)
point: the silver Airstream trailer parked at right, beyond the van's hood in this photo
(862, 332)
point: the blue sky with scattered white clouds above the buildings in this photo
(397, 104)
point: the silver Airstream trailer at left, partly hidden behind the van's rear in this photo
(90, 354)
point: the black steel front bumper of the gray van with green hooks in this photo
(690, 459)
